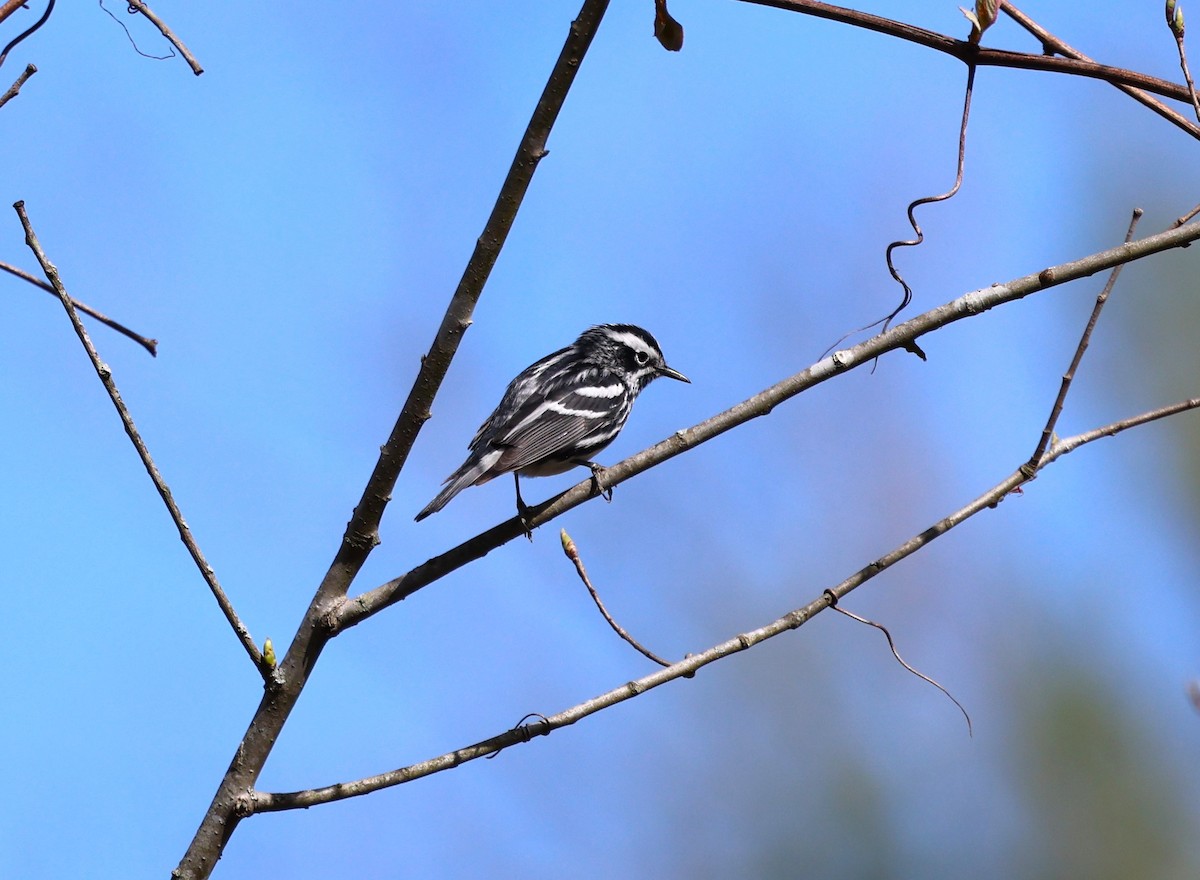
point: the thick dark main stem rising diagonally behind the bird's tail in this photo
(363, 531)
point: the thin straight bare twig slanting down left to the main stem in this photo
(106, 378)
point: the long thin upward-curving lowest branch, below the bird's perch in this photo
(267, 803)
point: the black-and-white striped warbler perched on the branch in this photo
(560, 412)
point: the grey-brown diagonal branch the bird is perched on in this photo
(357, 609)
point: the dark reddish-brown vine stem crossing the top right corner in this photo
(983, 57)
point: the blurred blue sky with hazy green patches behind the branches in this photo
(291, 225)
